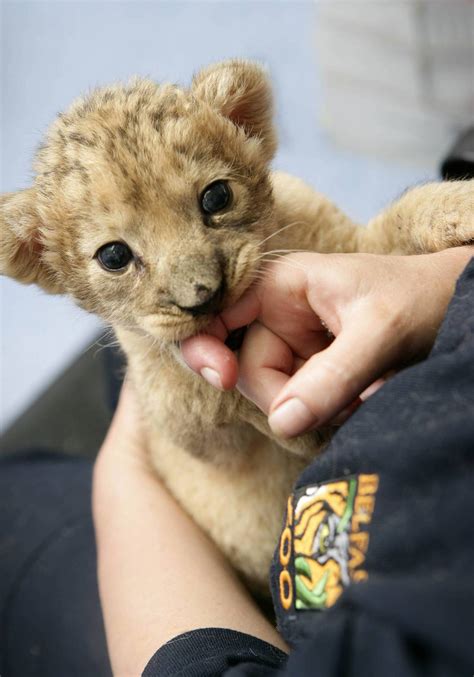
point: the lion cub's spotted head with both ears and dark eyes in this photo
(150, 202)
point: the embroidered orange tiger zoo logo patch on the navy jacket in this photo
(325, 540)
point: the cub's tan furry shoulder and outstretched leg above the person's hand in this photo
(426, 219)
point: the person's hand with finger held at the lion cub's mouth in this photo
(382, 312)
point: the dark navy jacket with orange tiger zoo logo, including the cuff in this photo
(373, 574)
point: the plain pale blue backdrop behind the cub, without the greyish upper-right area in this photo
(52, 51)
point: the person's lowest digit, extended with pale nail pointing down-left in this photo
(332, 379)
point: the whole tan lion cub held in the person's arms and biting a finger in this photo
(152, 206)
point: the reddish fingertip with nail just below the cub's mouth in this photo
(208, 356)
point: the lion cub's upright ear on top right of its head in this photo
(241, 91)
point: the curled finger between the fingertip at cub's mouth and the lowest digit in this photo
(265, 365)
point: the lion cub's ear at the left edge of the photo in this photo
(23, 251)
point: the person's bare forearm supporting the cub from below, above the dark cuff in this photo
(159, 575)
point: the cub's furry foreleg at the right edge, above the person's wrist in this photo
(426, 219)
